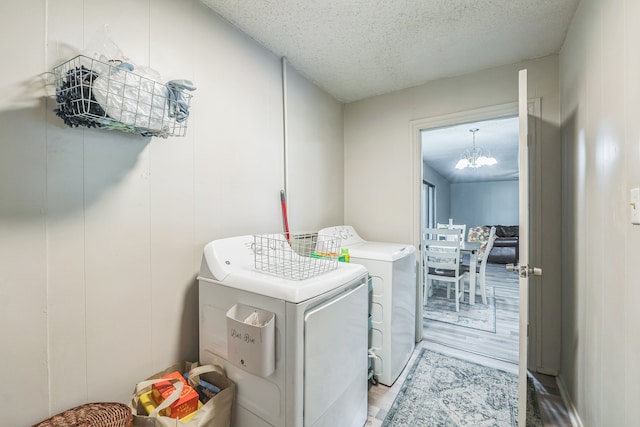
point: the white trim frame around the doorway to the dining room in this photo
(485, 113)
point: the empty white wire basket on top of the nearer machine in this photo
(298, 258)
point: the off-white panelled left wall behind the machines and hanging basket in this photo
(101, 232)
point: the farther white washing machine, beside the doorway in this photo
(392, 267)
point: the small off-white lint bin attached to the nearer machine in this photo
(251, 339)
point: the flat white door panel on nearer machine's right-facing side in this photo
(335, 361)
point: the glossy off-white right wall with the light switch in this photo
(599, 69)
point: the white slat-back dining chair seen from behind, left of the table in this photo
(442, 261)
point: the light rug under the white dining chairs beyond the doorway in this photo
(478, 316)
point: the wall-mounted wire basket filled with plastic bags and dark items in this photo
(109, 95)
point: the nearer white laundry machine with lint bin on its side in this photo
(319, 375)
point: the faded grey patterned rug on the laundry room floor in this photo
(445, 391)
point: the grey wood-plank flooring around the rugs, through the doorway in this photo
(498, 350)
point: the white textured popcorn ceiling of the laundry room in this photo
(355, 49)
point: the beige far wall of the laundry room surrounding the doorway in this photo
(379, 166)
